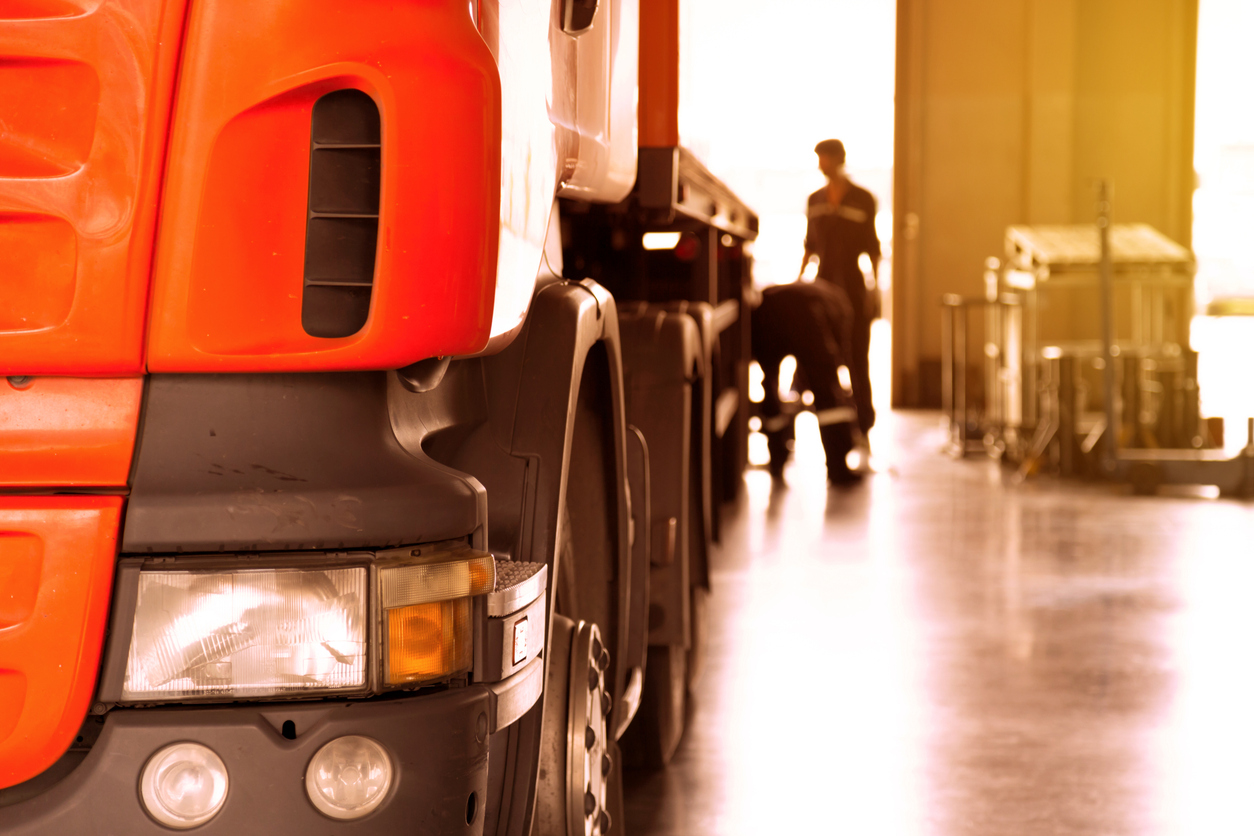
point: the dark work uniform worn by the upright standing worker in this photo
(840, 235)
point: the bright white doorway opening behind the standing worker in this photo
(804, 71)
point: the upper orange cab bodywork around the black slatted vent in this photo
(81, 184)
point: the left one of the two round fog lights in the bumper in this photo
(184, 785)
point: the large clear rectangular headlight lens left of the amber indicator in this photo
(248, 634)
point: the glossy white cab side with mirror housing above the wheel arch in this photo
(569, 128)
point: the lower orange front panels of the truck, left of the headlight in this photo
(57, 555)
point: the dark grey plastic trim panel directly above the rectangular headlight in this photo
(260, 463)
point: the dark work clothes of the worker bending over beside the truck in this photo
(812, 323)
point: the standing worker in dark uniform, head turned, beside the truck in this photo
(841, 227)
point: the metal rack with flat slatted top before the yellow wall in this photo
(1105, 342)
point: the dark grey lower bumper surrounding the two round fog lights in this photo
(438, 745)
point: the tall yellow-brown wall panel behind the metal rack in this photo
(1008, 112)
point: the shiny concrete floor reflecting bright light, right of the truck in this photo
(939, 652)
